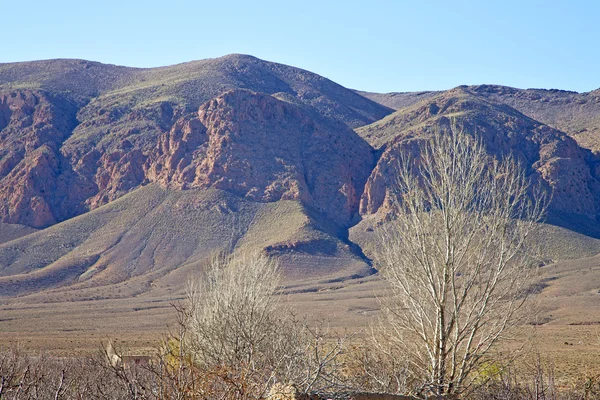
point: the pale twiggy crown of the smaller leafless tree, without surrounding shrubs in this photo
(235, 302)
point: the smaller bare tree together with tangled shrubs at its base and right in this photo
(242, 340)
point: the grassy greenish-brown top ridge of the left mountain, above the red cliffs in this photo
(122, 90)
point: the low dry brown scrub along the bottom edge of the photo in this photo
(27, 377)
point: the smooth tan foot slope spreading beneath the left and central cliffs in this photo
(154, 238)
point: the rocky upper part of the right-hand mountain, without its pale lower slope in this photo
(547, 155)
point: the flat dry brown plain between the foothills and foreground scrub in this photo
(569, 334)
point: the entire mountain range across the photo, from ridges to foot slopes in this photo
(116, 182)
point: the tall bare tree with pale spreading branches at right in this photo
(455, 257)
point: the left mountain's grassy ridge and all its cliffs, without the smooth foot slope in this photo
(90, 133)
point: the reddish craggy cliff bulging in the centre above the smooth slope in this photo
(265, 149)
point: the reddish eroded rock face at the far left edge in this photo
(33, 173)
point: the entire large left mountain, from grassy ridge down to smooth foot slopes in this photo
(114, 177)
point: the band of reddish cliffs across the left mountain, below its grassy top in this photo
(252, 145)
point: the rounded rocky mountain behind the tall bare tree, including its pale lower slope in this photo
(550, 157)
